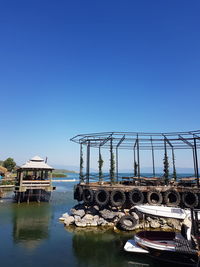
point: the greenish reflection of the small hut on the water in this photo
(30, 224)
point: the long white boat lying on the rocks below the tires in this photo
(163, 211)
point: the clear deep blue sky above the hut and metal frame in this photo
(70, 67)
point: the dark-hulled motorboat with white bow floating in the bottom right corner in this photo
(172, 247)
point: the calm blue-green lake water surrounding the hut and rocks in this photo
(31, 235)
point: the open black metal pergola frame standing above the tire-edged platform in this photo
(141, 141)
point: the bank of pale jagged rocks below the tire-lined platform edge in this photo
(83, 216)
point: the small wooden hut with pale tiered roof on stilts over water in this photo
(34, 181)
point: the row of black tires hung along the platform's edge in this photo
(119, 198)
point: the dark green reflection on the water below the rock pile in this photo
(98, 247)
